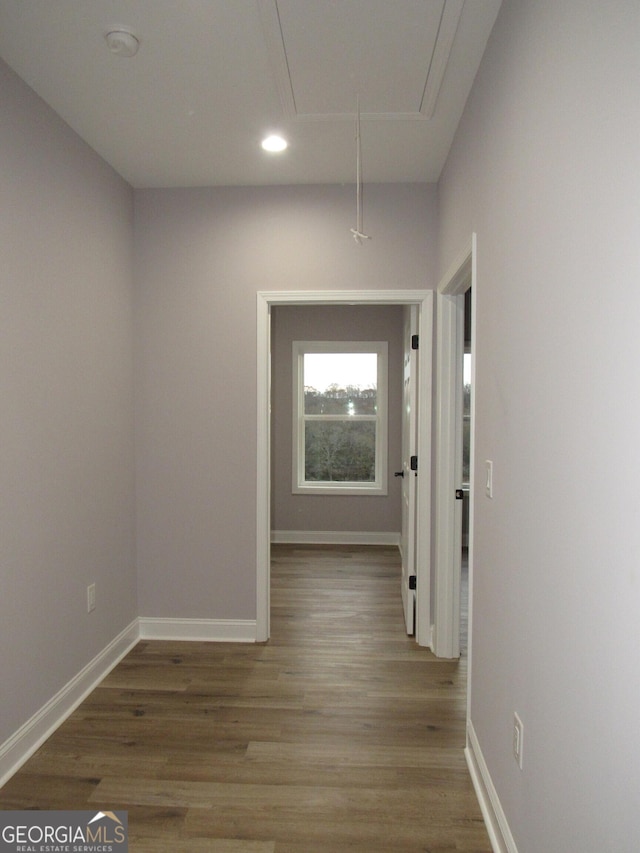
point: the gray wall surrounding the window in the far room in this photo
(329, 512)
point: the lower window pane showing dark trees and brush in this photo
(340, 451)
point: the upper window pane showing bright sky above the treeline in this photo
(340, 383)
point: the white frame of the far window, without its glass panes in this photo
(299, 484)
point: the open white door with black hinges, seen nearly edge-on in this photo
(409, 443)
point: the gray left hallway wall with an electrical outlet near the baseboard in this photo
(66, 432)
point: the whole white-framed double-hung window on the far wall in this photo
(340, 417)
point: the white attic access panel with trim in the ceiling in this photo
(324, 56)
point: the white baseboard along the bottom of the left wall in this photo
(24, 742)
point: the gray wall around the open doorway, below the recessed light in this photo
(201, 257)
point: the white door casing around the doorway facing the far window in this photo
(423, 302)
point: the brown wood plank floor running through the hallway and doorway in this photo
(337, 735)
